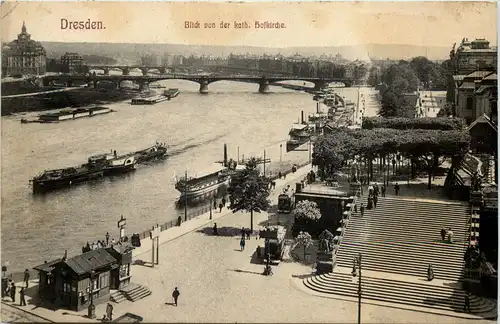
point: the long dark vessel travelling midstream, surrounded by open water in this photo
(97, 167)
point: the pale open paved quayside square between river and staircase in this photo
(219, 283)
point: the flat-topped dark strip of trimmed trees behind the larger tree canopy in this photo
(440, 123)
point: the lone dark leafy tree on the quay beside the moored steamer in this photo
(249, 191)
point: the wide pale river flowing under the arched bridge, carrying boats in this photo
(195, 126)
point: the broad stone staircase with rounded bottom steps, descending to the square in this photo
(397, 241)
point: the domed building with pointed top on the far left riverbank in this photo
(23, 56)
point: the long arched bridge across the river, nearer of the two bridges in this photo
(144, 80)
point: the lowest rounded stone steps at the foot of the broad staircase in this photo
(399, 292)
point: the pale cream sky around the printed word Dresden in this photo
(307, 24)
